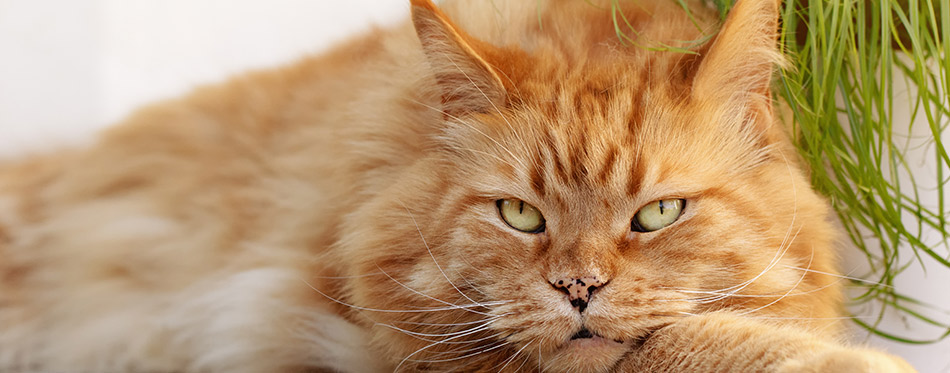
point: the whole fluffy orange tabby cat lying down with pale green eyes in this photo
(492, 186)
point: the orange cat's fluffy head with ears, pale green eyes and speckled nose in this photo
(584, 193)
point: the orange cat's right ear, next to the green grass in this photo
(738, 67)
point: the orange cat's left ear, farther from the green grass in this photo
(468, 82)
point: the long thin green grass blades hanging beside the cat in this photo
(868, 88)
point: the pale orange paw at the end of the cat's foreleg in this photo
(847, 360)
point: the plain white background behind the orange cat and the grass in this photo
(71, 67)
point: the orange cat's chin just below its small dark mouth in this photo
(596, 354)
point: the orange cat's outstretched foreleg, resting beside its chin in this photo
(723, 342)
